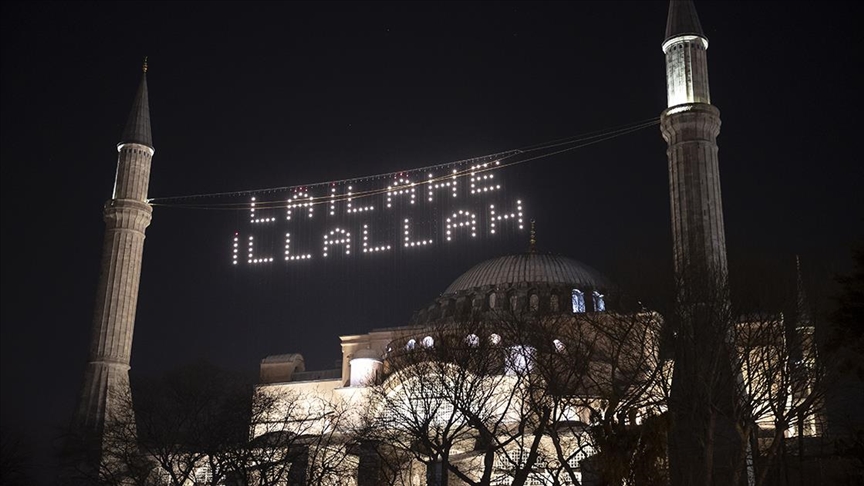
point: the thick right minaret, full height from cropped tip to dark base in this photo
(704, 447)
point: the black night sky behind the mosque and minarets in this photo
(259, 95)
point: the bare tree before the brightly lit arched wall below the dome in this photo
(451, 400)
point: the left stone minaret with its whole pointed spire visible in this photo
(126, 217)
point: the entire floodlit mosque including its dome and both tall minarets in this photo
(496, 322)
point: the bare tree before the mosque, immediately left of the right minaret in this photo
(596, 379)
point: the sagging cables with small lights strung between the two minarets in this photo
(456, 170)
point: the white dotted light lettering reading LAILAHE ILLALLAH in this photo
(462, 201)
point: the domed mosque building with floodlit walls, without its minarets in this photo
(507, 316)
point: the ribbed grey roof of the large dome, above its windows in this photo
(531, 268)
